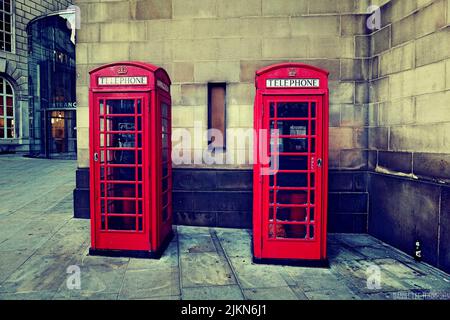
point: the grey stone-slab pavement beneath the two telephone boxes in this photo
(39, 240)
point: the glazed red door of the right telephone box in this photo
(292, 193)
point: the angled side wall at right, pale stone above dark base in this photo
(409, 128)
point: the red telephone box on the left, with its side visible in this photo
(130, 160)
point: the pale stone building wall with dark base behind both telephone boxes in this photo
(389, 102)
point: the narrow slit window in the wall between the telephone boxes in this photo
(216, 114)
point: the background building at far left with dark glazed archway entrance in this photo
(22, 128)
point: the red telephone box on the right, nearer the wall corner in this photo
(291, 161)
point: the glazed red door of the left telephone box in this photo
(120, 166)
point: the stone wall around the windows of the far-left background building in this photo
(16, 70)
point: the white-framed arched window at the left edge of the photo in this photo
(7, 121)
